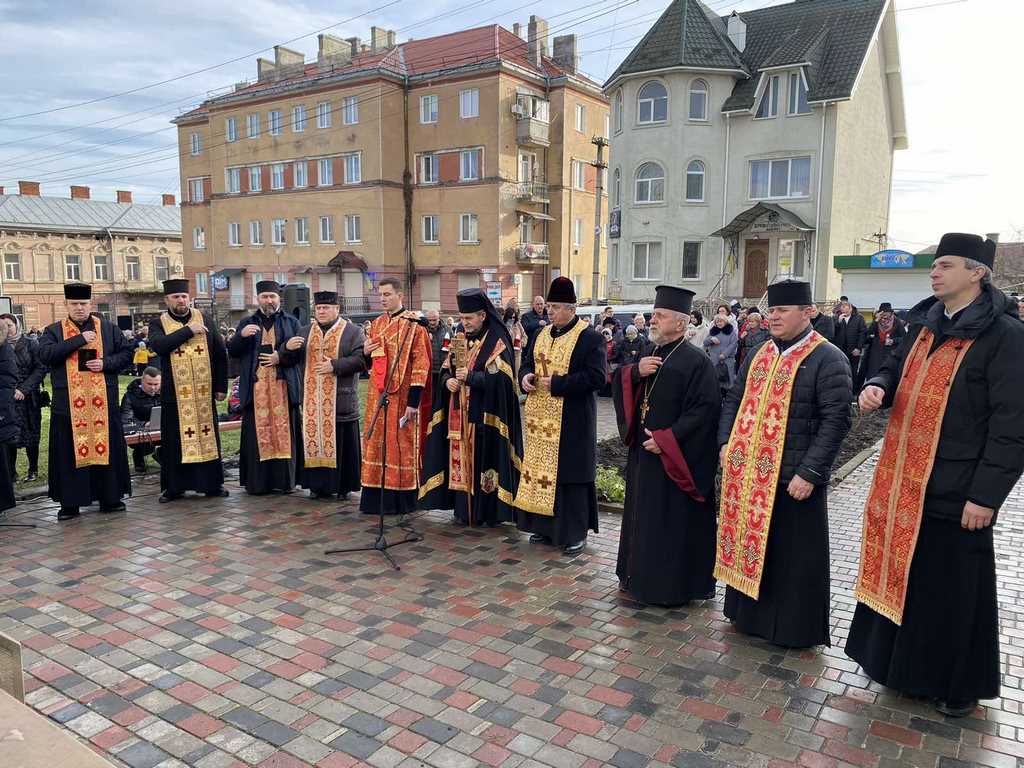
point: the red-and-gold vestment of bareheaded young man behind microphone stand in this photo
(405, 448)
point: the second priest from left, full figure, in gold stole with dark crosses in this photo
(194, 364)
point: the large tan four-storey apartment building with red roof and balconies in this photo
(456, 161)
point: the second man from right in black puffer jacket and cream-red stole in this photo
(774, 528)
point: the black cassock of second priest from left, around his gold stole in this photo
(176, 478)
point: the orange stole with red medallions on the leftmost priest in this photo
(88, 399)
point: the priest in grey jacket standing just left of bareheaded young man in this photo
(330, 363)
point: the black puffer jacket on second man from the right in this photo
(820, 413)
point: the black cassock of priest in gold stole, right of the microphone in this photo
(576, 494)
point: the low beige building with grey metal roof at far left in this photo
(124, 249)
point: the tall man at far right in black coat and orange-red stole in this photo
(927, 619)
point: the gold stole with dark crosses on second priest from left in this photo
(193, 386)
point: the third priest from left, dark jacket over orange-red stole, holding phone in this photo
(271, 393)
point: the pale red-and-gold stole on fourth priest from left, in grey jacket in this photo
(320, 398)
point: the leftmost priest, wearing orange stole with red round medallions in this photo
(89, 458)
